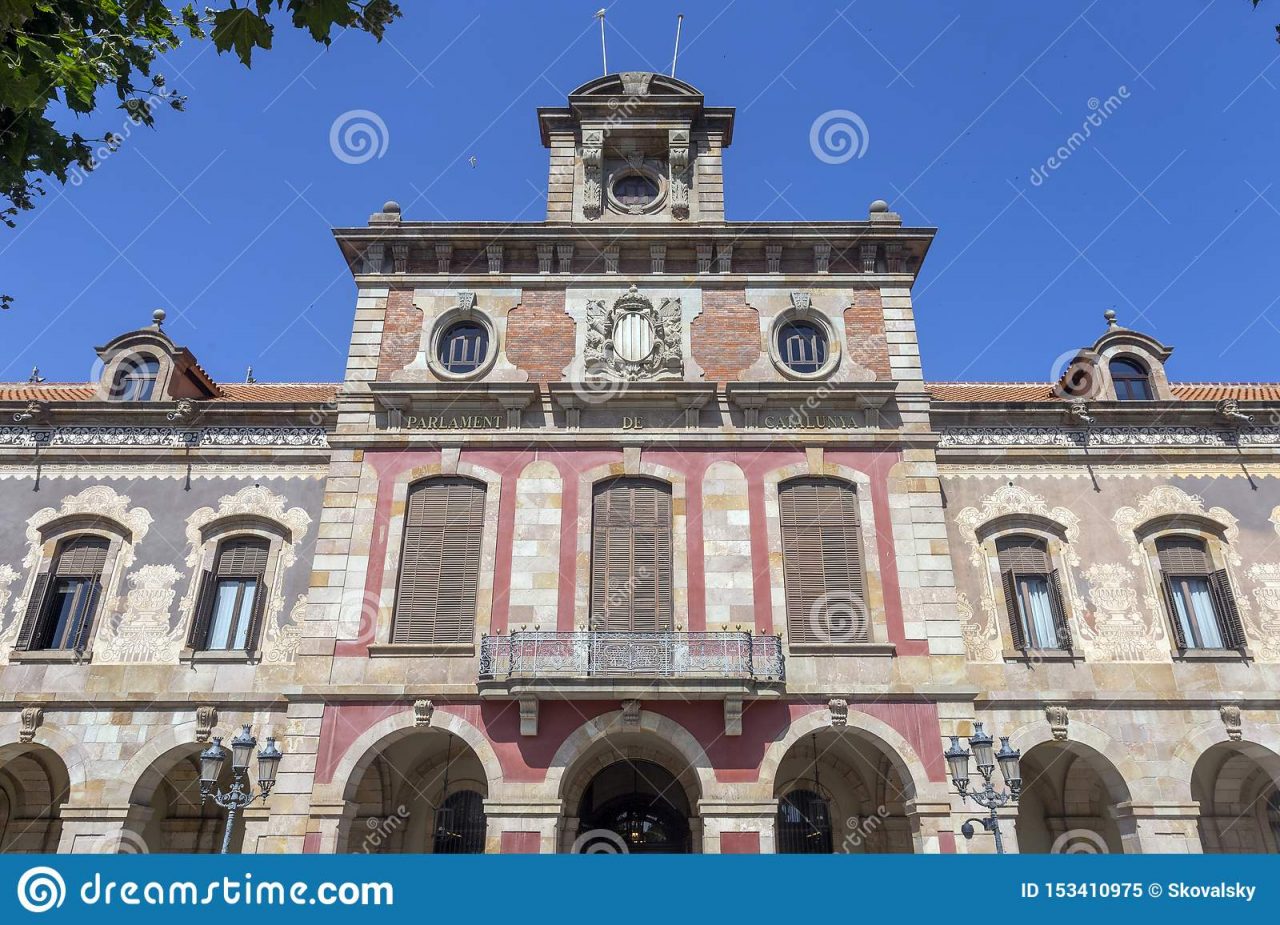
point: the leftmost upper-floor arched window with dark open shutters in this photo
(65, 599)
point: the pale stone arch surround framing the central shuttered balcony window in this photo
(679, 530)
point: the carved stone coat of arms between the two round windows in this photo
(634, 341)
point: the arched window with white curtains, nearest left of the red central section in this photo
(232, 597)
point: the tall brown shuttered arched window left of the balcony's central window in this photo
(436, 599)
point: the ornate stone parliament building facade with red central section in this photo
(639, 530)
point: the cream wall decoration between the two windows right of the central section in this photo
(1121, 630)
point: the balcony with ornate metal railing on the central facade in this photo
(652, 663)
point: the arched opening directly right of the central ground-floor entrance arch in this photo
(840, 793)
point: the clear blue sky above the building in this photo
(1168, 213)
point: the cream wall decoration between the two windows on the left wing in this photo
(143, 631)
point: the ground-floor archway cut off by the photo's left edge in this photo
(34, 786)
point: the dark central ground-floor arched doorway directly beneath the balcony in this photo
(642, 804)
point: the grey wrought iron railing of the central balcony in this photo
(598, 654)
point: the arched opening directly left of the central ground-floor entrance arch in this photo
(420, 794)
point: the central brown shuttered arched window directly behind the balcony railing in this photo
(632, 557)
